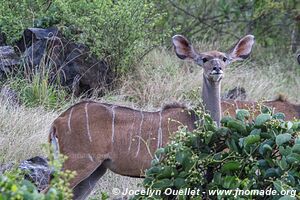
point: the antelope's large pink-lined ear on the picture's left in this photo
(183, 48)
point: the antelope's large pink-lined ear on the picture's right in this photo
(242, 49)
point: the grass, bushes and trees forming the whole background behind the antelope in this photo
(133, 36)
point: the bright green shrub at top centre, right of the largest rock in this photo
(119, 31)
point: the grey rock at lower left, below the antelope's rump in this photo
(37, 171)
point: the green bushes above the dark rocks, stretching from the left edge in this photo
(118, 31)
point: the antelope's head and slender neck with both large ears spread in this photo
(213, 64)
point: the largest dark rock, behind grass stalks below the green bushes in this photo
(71, 64)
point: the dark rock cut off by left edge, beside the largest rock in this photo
(9, 60)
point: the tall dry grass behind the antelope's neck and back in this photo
(163, 78)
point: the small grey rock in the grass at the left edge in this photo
(9, 96)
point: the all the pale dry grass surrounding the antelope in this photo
(159, 79)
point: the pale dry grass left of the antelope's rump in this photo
(22, 131)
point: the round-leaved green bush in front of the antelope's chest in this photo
(244, 154)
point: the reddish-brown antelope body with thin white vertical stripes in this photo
(92, 134)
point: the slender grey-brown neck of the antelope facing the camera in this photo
(211, 98)
